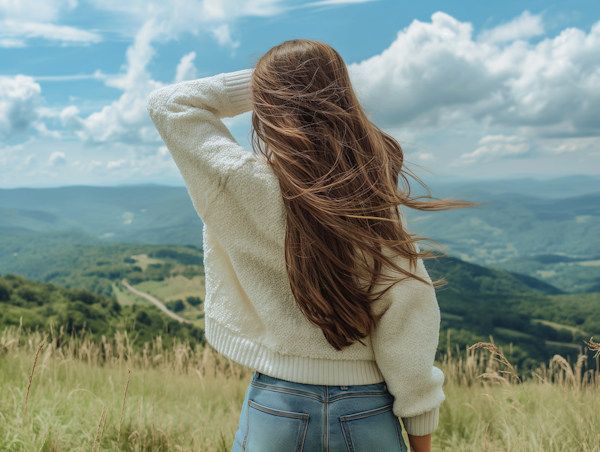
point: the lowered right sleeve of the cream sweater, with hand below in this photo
(405, 342)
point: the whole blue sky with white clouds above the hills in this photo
(481, 90)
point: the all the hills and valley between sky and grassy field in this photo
(523, 267)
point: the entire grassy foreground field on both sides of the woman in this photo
(105, 397)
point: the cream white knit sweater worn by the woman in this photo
(251, 315)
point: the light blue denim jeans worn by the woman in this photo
(282, 416)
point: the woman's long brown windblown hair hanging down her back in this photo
(339, 176)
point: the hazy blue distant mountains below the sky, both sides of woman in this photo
(545, 229)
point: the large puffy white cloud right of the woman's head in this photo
(436, 74)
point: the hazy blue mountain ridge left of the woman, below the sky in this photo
(137, 214)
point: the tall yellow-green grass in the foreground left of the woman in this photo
(108, 396)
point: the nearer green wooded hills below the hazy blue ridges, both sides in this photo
(537, 318)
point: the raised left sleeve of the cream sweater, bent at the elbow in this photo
(187, 117)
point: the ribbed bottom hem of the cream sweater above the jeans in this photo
(297, 369)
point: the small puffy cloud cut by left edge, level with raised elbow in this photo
(20, 99)
